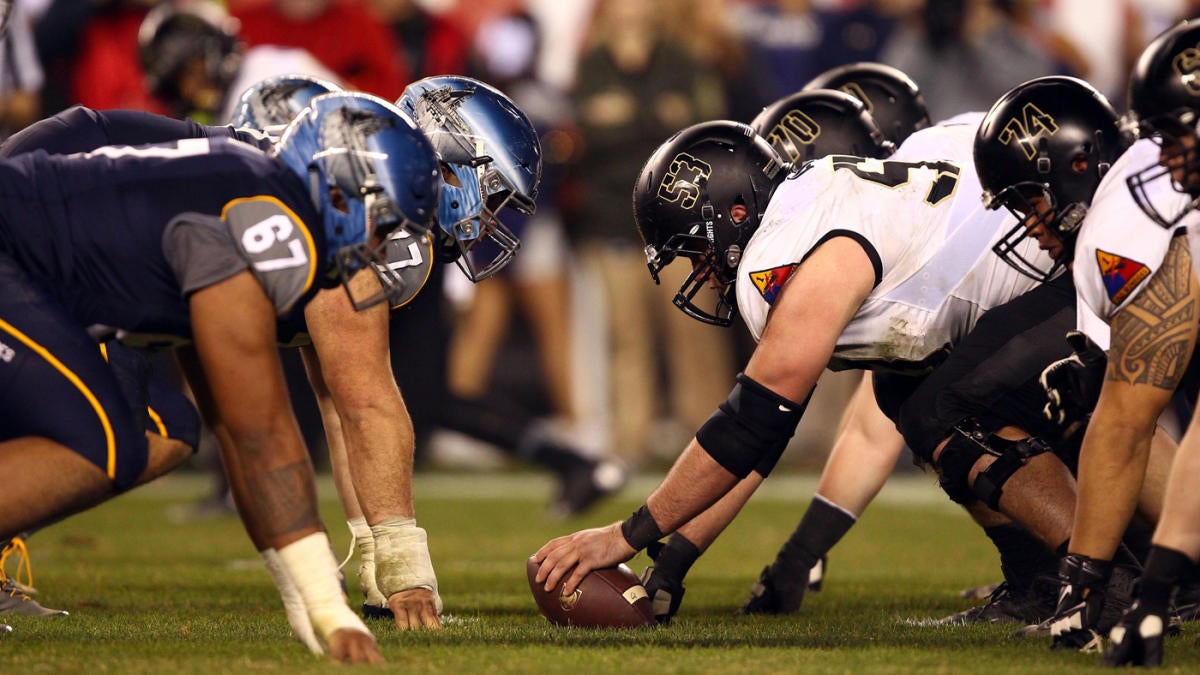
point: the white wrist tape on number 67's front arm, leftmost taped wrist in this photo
(310, 564)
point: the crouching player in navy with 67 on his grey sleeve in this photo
(207, 242)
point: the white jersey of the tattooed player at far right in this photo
(1119, 248)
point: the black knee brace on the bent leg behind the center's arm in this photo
(968, 444)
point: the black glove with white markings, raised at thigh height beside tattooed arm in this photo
(1073, 385)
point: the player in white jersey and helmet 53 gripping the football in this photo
(874, 291)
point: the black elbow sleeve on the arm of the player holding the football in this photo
(751, 429)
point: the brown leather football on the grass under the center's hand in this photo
(613, 598)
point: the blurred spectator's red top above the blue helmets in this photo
(344, 35)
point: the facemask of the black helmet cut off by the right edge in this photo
(1179, 163)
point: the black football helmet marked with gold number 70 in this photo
(817, 123)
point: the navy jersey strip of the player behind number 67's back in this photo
(82, 130)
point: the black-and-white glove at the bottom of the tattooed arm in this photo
(1081, 604)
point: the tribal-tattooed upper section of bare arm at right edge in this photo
(1154, 337)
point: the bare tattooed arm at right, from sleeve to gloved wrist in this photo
(1153, 342)
